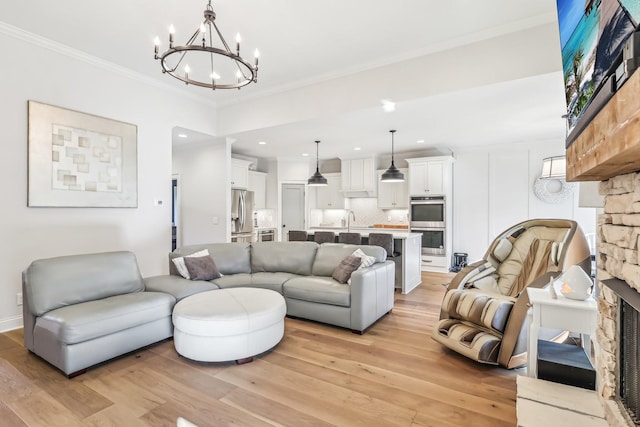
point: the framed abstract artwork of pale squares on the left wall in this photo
(80, 160)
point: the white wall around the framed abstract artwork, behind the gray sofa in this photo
(52, 74)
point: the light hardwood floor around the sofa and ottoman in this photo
(393, 375)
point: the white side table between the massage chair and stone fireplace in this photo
(561, 313)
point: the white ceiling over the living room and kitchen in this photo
(304, 42)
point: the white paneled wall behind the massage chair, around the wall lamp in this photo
(493, 189)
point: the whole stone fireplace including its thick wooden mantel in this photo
(608, 150)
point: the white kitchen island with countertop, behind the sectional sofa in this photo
(406, 244)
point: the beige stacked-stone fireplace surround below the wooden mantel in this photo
(619, 285)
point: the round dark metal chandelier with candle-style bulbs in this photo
(199, 63)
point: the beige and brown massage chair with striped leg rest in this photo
(484, 311)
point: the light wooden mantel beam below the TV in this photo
(610, 144)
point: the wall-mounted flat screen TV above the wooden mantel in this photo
(592, 35)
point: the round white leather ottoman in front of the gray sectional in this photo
(228, 324)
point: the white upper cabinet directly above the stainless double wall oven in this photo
(429, 176)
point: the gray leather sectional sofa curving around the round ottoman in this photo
(81, 310)
